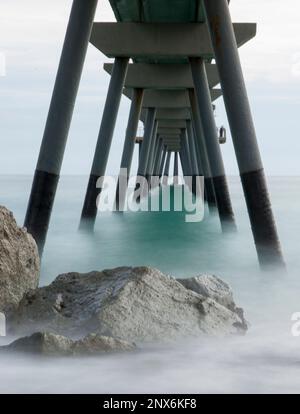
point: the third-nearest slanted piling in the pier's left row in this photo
(130, 138)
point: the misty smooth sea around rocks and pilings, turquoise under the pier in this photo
(265, 360)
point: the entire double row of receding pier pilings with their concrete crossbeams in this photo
(174, 100)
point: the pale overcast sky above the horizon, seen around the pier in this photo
(31, 36)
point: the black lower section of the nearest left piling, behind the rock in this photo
(40, 206)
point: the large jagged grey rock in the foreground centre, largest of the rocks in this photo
(133, 304)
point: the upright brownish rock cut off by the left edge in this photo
(19, 261)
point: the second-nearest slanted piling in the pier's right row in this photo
(212, 144)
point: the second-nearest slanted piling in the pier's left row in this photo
(111, 108)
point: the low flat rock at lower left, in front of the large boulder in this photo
(49, 344)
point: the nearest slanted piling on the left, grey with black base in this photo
(59, 120)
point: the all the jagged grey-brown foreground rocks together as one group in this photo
(107, 311)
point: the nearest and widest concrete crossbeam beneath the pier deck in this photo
(161, 40)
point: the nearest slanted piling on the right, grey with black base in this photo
(243, 132)
